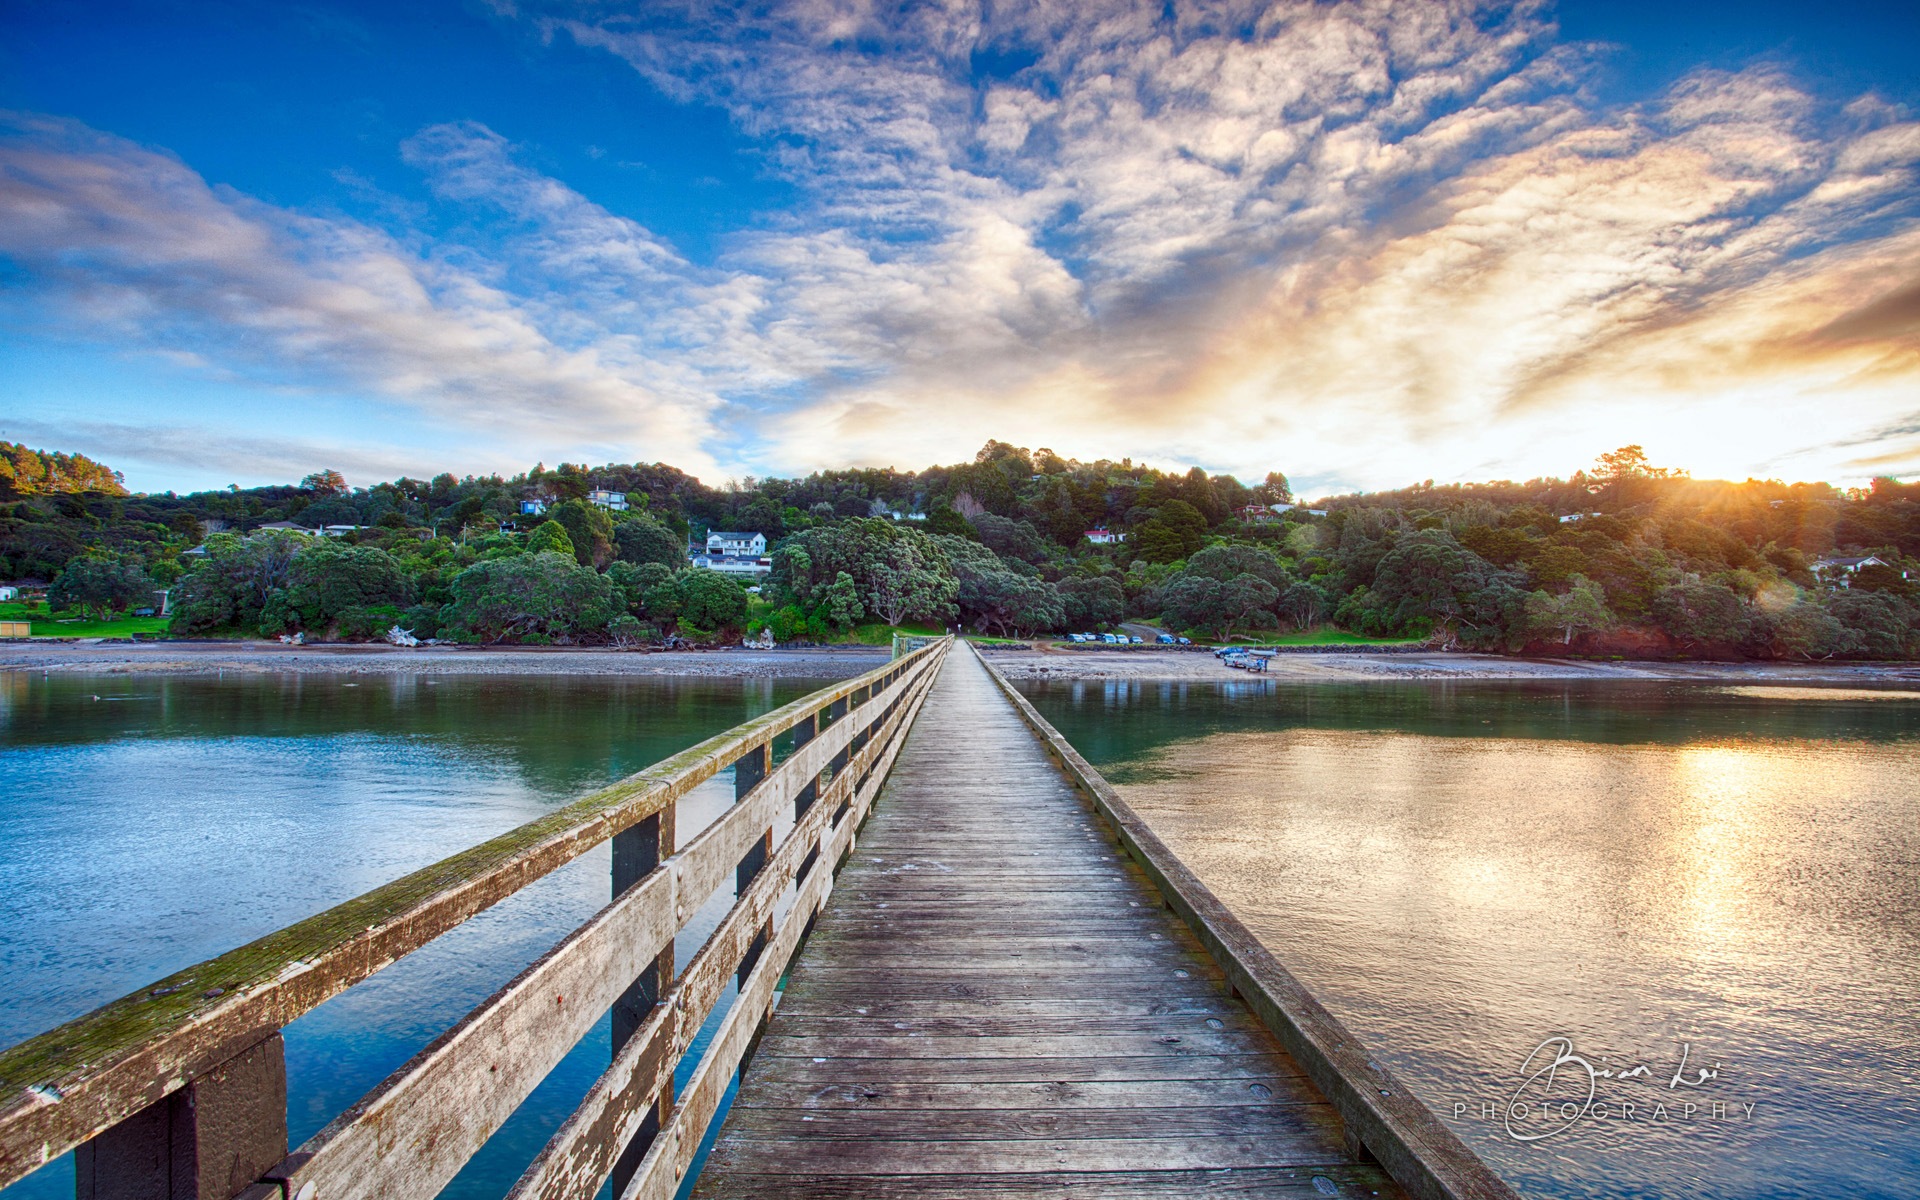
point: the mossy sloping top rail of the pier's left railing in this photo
(70, 1084)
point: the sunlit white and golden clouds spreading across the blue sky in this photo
(1360, 241)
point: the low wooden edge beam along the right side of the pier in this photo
(1378, 1111)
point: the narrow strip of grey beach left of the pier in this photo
(272, 658)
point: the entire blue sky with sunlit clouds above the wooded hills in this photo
(1366, 243)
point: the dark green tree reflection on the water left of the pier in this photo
(564, 734)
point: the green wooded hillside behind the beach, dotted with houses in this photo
(1623, 560)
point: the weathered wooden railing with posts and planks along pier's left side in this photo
(180, 1090)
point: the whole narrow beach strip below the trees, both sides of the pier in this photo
(1019, 663)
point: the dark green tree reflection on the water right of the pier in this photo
(1115, 721)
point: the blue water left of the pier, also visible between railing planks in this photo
(147, 825)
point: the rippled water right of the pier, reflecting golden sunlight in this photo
(1646, 871)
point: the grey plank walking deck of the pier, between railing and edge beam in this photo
(996, 1003)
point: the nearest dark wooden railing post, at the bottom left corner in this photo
(208, 1141)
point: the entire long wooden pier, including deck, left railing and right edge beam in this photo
(997, 982)
